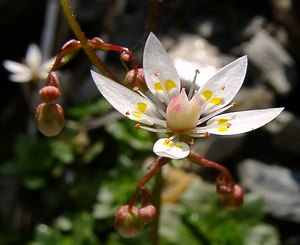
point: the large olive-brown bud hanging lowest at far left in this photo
(49, 118)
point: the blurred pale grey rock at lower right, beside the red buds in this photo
(278, 186)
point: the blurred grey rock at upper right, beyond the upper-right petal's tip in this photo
(275, 64)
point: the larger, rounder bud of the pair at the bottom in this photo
(128, 222)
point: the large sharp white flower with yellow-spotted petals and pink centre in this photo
(166, 107)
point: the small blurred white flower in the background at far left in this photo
(33, 68)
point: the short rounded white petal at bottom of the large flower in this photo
(174, 150)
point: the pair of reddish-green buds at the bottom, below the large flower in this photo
(129, 220)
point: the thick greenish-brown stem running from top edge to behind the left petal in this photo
(83, 40)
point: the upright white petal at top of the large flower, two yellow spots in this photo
(160, 74)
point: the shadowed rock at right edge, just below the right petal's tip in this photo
(285, 132)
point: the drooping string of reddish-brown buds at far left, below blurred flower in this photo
(49, 115)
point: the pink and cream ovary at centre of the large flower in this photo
(182, 115)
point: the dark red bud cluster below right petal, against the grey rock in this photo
(231, 195)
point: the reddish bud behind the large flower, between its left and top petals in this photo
(137, 80)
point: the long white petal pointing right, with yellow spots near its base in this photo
(240, 122)
